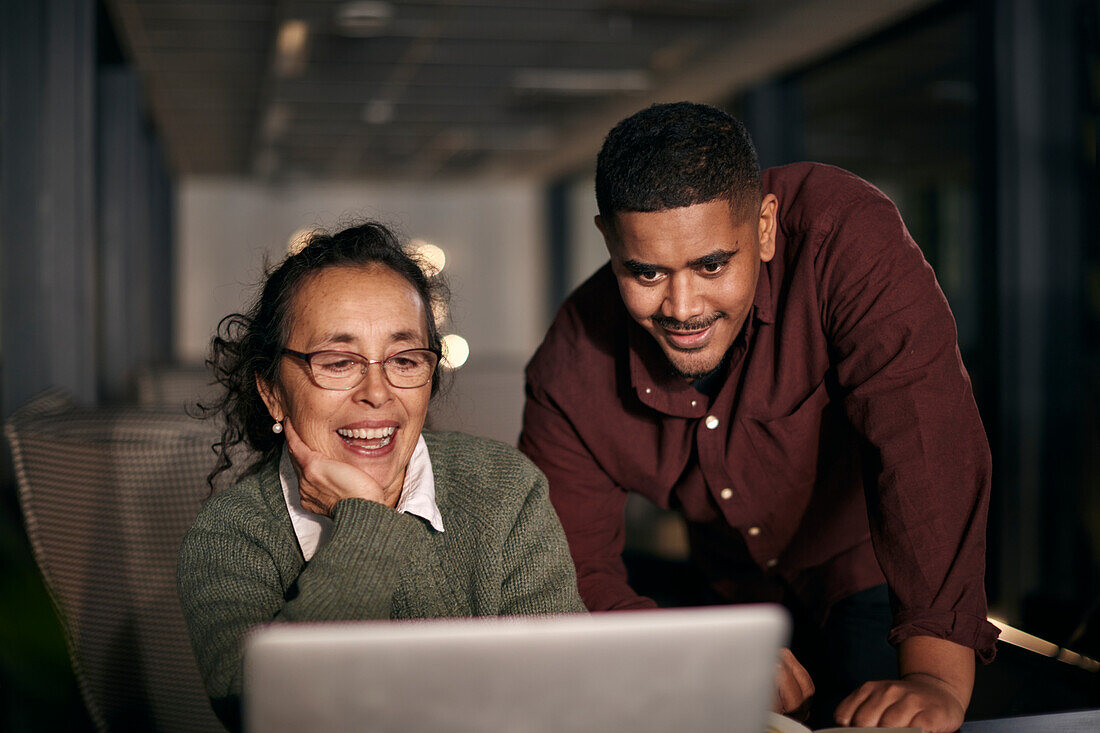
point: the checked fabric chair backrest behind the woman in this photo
(107, 496)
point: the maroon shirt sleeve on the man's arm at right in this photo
(908, 393)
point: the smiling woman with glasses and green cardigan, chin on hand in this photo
(351, 510)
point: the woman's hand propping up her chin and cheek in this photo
(324, 482)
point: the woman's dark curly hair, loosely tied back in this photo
(249, 346)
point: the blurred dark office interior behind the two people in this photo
(156, 154)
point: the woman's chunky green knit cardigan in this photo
(503, 552)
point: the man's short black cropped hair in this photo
(672, 156)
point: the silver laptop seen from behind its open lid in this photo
(685, 670)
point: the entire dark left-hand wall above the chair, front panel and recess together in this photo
(85, 210)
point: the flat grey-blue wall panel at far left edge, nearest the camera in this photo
(48, 220)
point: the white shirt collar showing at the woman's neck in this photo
(419, 498)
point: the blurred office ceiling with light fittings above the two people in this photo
(437, 89)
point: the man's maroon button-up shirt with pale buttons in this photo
(844, 448)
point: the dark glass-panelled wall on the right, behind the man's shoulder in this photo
(981, 119)
